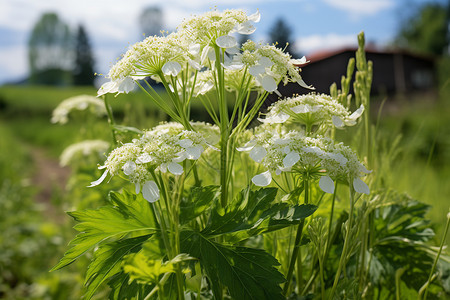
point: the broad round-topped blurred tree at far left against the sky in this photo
(50, 51)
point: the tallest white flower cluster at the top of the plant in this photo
(194, 44)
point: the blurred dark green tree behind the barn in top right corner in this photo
(426, 30)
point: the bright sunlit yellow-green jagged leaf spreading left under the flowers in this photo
(129, 214)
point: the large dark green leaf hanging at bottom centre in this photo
(247, 273)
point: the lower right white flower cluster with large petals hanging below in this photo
(294, 152)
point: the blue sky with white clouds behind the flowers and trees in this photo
(113, 24)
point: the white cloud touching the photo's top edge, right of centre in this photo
(361, 7)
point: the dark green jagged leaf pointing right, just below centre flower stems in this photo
(252, 213)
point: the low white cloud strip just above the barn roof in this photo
(312, 43)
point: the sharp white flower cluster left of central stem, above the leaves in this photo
(161, 149)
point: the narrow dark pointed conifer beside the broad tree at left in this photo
(83, 72)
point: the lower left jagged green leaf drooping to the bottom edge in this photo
(107, 262)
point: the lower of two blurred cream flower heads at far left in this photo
(84, 148)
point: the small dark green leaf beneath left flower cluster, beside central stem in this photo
(198, 200)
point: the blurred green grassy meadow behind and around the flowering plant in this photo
(411, 145)
